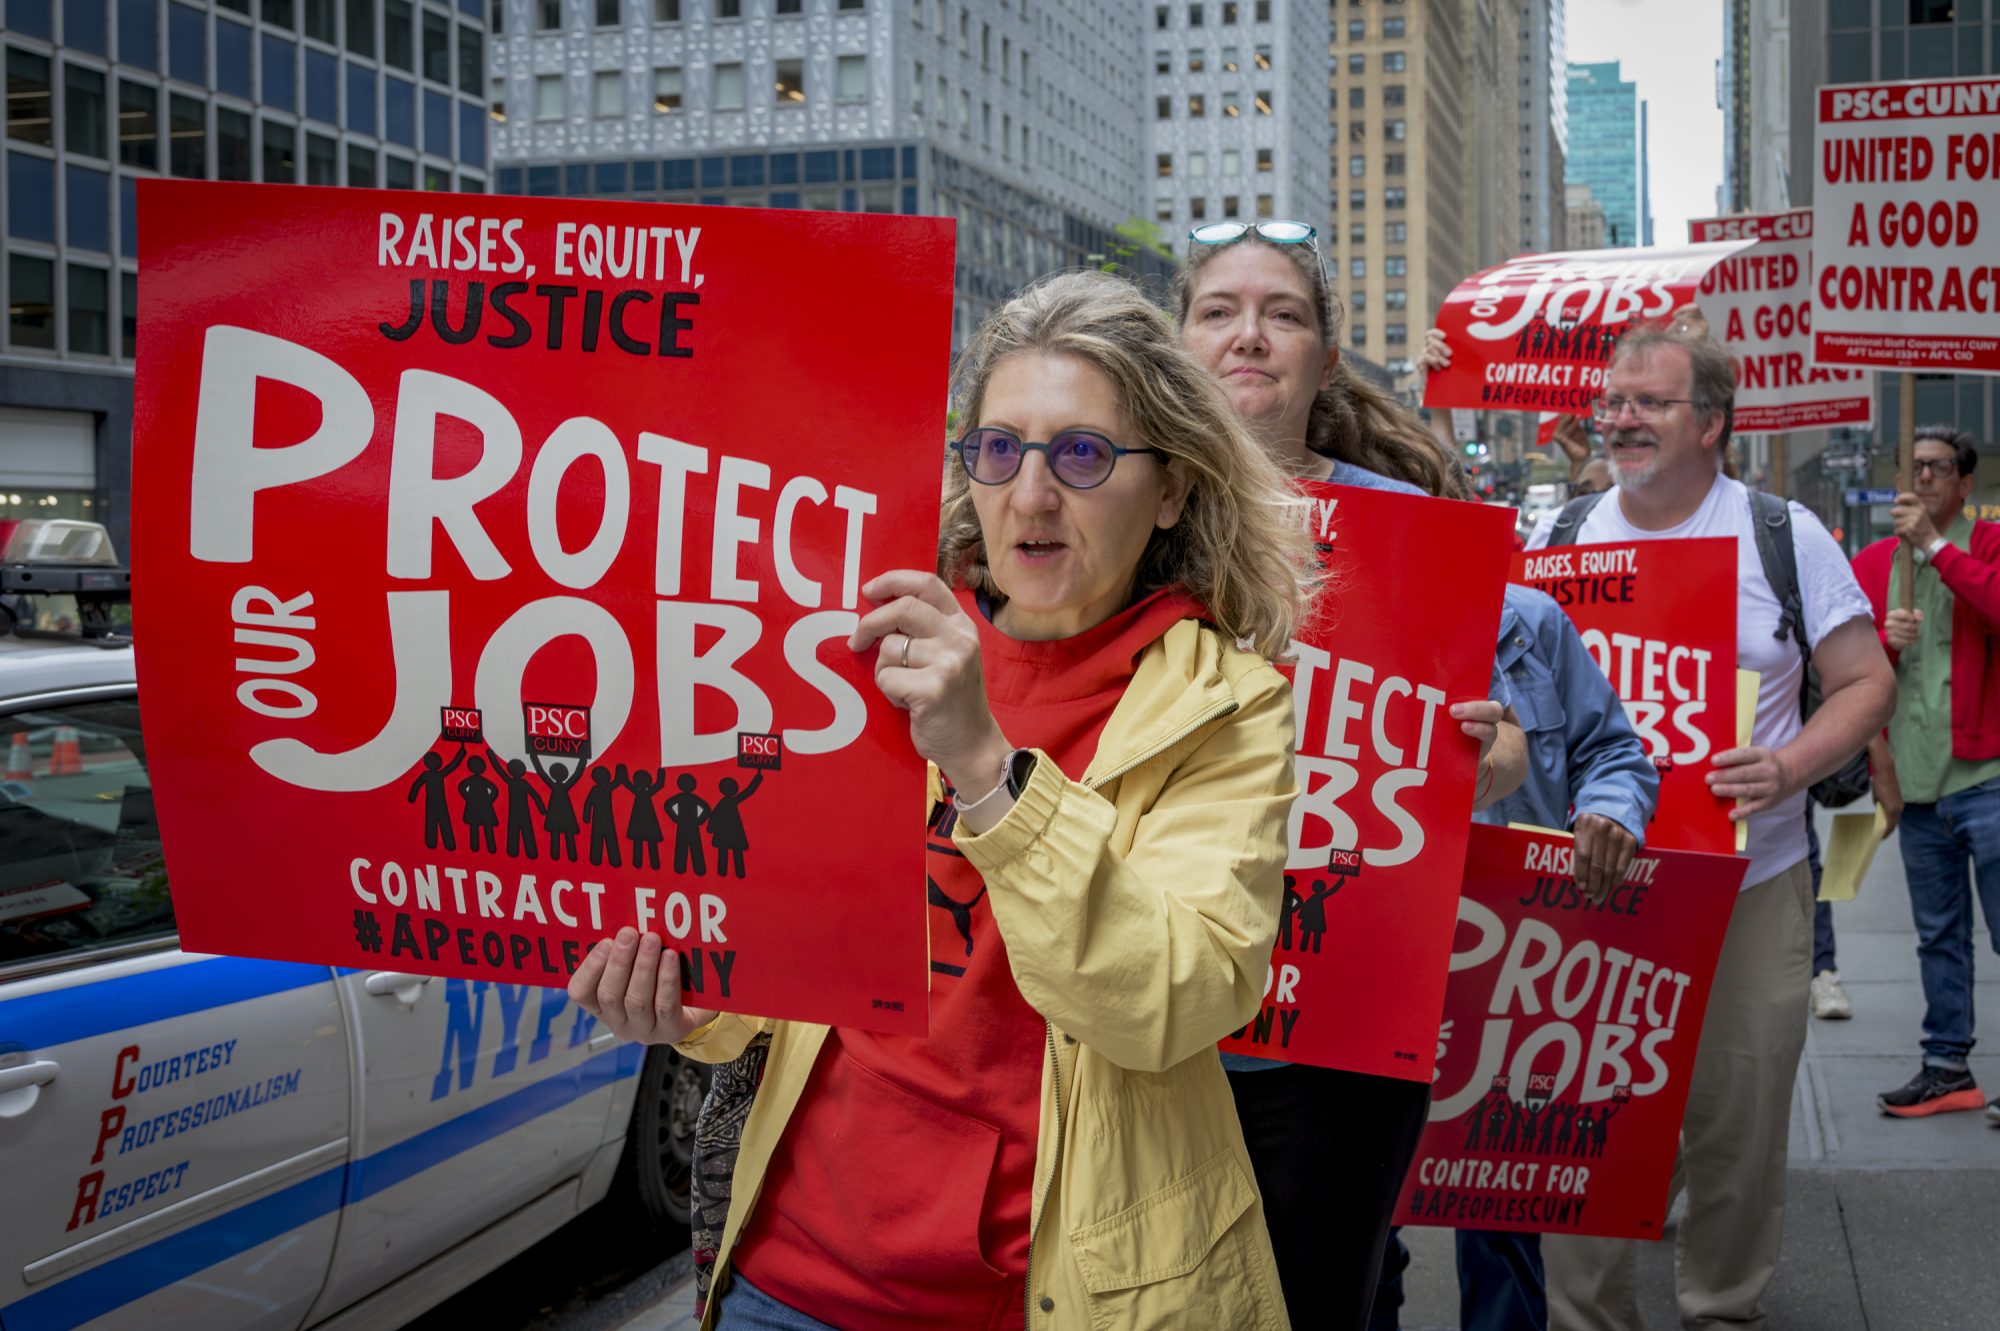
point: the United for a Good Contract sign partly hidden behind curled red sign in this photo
(1761, 305)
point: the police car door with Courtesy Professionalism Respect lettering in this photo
(175, 1128)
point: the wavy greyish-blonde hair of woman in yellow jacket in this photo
(1241, 545)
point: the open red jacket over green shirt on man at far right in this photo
(1973, 579)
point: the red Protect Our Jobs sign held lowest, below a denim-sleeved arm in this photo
(1569, 1040)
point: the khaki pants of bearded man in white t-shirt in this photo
(1731, 1142)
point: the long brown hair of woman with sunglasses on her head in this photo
(1351, 421)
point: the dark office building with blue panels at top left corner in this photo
(107, 93)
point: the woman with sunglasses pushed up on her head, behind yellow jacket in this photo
(1331, 1148)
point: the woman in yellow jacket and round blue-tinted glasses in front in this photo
(1089, 672)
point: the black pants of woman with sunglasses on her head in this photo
(1329, 1150)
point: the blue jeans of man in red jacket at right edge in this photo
(1941, 842)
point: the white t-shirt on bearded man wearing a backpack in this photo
(1831, 599)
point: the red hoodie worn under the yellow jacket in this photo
(899, 1194)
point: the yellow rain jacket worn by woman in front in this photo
(1139, 910)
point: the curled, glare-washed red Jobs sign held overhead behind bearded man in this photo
(1535, 335)
